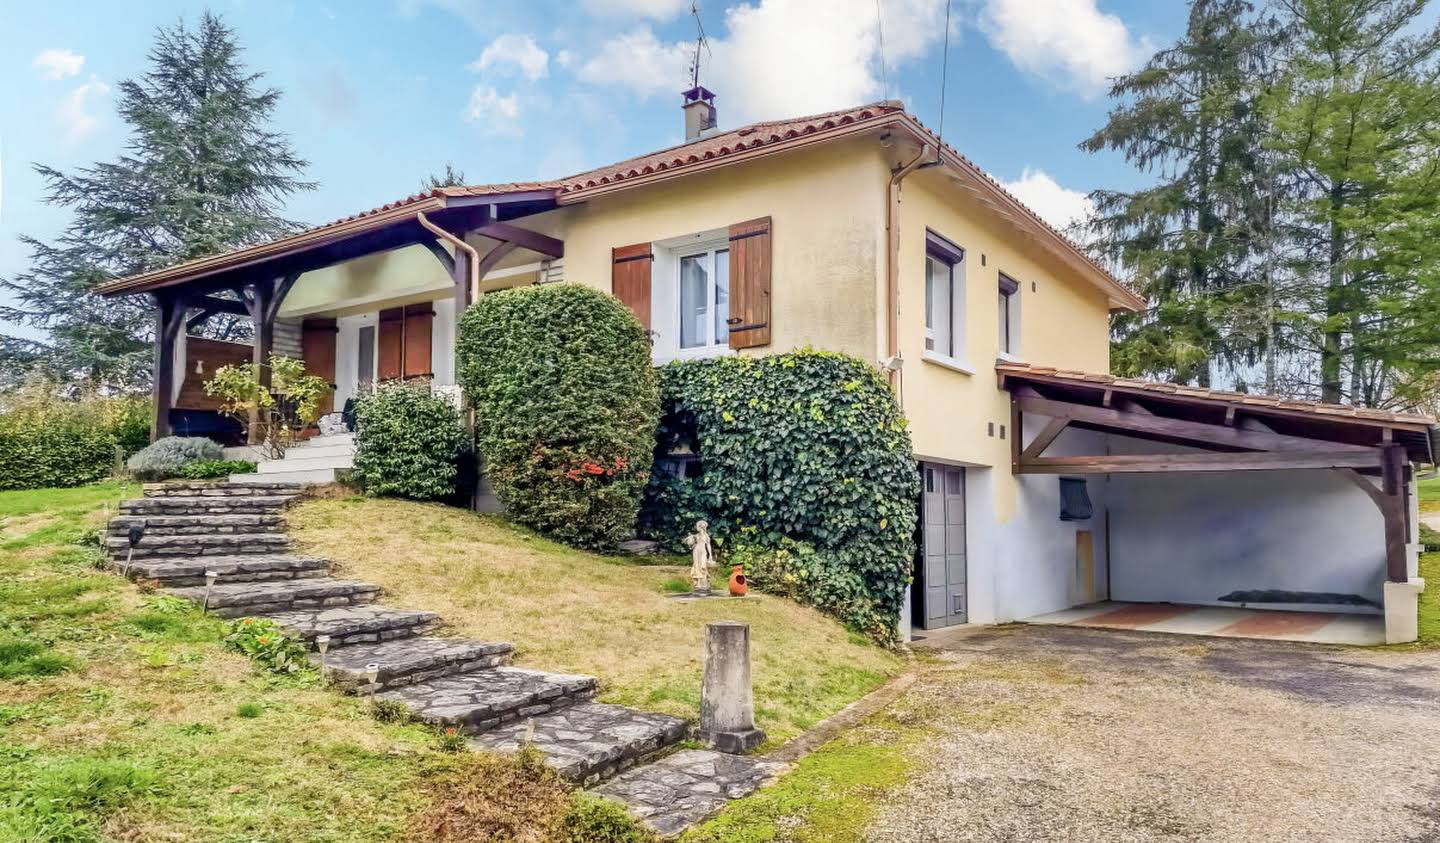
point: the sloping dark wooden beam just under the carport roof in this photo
(1187, 432)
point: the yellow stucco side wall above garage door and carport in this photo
(1063, 322)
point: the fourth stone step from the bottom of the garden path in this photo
(410, 661)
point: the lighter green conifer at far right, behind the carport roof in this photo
(1357, 120)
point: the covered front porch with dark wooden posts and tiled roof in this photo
(366, 299)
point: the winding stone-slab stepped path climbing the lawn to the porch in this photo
(182, 532)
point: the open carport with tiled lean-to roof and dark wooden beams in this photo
(1230, 502)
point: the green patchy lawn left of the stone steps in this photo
(123, 718)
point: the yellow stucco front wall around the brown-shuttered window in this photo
(827, 208)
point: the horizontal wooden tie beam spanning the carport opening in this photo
(1199, 462)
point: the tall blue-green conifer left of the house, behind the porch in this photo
(202, 174)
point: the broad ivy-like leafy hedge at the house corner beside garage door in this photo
(806, 465)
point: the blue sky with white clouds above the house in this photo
(381, 93)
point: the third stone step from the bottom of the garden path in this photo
(476, 702)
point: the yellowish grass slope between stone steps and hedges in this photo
(574, 612)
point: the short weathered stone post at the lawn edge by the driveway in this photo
(726, 698)
